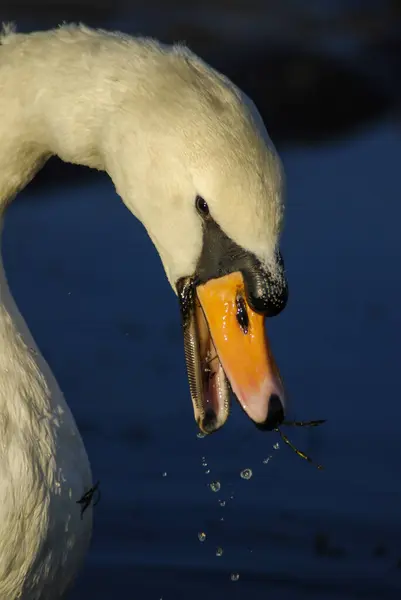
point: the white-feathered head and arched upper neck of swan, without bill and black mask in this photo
(164, 125)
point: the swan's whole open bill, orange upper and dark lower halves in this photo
(226, 346)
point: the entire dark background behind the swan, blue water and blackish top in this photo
(325, 76)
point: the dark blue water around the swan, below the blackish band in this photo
(94, 294)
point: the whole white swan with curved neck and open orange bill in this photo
(190, 157)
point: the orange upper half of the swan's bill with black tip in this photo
(239, 337)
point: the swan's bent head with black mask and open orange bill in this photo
(193, 161)
